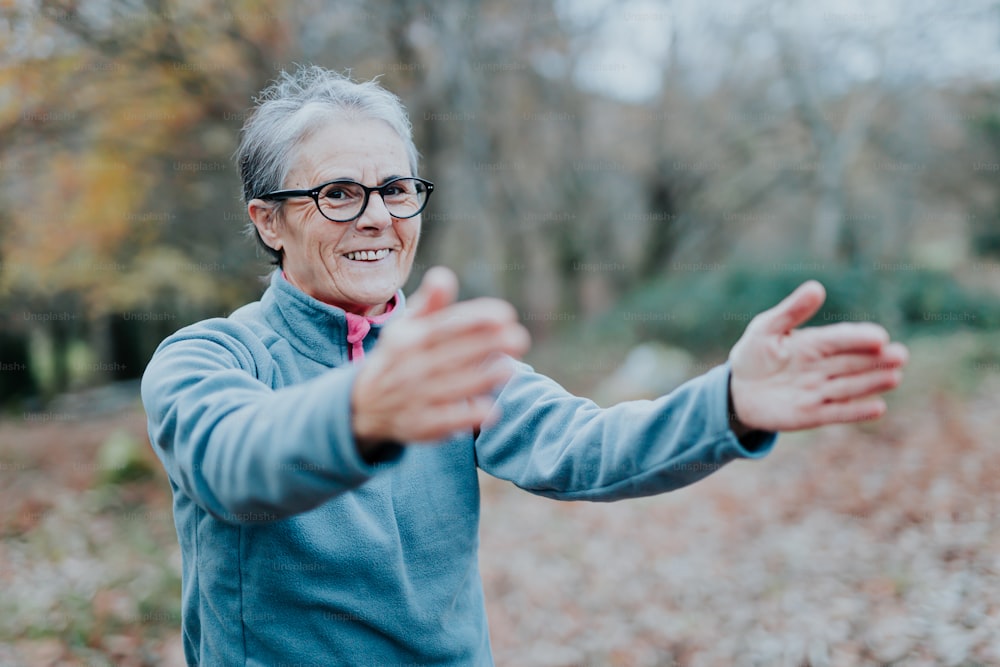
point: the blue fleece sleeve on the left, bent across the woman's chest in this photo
(238, 448)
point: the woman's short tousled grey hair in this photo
(290, 110)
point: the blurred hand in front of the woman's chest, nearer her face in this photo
(433, 370)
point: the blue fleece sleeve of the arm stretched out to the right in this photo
(554, 444)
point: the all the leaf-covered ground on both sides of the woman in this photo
(876, 545)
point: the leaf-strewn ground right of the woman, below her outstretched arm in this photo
(847, 546)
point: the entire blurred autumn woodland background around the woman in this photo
(638, 178)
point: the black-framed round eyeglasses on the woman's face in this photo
(345, 200)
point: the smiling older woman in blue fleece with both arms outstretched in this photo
(322, 443)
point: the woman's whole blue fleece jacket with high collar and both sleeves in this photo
(296, 551)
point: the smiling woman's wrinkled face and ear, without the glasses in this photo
(320, 255)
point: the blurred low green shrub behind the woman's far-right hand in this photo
(707, 311)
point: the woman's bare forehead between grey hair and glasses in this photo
(351, 147)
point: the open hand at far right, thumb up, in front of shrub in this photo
(786, 379)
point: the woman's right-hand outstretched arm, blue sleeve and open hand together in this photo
(779, 378)
